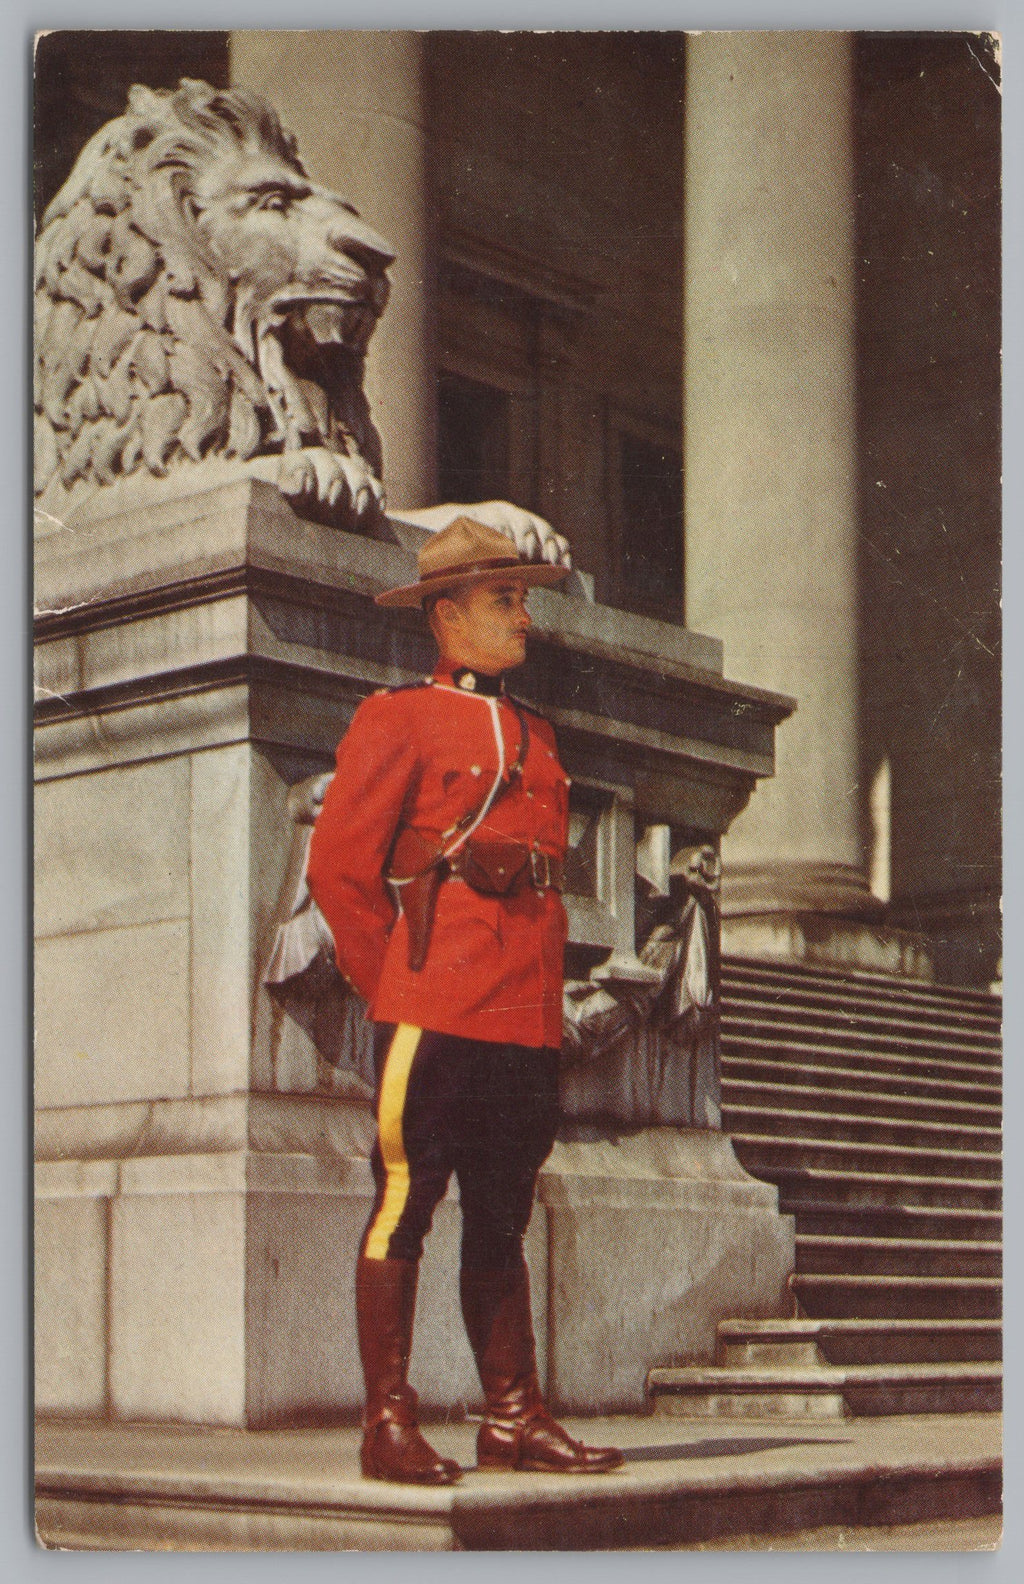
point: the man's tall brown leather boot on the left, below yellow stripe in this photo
(392, 1444)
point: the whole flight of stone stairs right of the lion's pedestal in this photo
(874, 1106)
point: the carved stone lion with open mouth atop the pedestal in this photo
(201, 300)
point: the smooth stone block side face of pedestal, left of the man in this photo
(143, 932)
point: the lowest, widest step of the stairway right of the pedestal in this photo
(827, 1392)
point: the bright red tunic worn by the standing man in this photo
(429, 756)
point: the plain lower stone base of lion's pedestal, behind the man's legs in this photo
(220, 1289)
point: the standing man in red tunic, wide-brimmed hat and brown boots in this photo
(437, 862)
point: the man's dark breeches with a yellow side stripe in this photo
(484, 1111)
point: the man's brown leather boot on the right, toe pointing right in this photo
(518, 1431)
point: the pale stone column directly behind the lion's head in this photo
(357, 104)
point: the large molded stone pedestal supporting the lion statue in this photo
(202, 1178)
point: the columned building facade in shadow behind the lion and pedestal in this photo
(725, 310)
